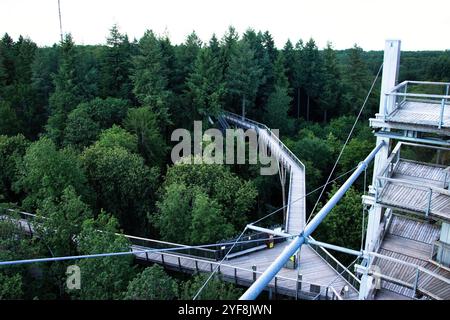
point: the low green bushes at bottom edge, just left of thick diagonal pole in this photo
(215, 290)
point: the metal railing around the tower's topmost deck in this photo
(402, 93)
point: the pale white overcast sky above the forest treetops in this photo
(420, 25)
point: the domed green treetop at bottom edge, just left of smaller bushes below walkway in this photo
(152, 284)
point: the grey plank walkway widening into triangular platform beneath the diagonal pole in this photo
(317, 278)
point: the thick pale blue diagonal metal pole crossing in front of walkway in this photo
(261, 283)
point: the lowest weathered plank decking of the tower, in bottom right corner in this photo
(411, 241)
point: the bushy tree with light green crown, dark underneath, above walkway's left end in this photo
(122, 182)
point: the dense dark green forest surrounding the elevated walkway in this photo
(85, 144)
